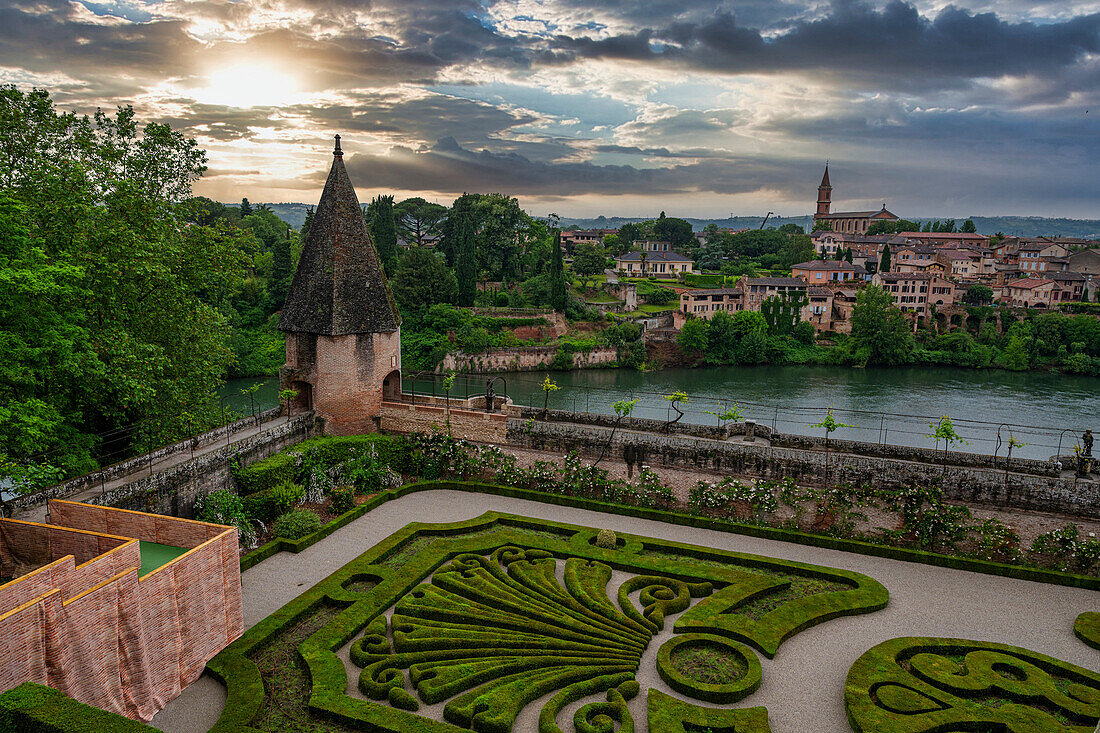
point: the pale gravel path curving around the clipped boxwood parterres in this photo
(804, 686)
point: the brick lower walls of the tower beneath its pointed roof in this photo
(347, 379)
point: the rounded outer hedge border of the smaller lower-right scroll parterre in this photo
(881, 668)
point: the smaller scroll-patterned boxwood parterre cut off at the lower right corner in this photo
(920, 685)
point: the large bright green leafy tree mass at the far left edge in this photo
(111, 313)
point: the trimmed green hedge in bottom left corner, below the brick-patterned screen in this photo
(32, 708)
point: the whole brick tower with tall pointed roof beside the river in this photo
(344, 338)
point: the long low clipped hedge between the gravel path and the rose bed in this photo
(861, 548)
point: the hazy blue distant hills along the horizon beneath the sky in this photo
(295, 215)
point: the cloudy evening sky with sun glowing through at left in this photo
(613, 107)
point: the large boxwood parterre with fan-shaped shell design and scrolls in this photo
(489, 616)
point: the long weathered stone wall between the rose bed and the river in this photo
(966, 484)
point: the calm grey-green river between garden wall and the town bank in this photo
(893, 406)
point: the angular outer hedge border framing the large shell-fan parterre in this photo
(326, 671)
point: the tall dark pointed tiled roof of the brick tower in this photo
(340, 287)
